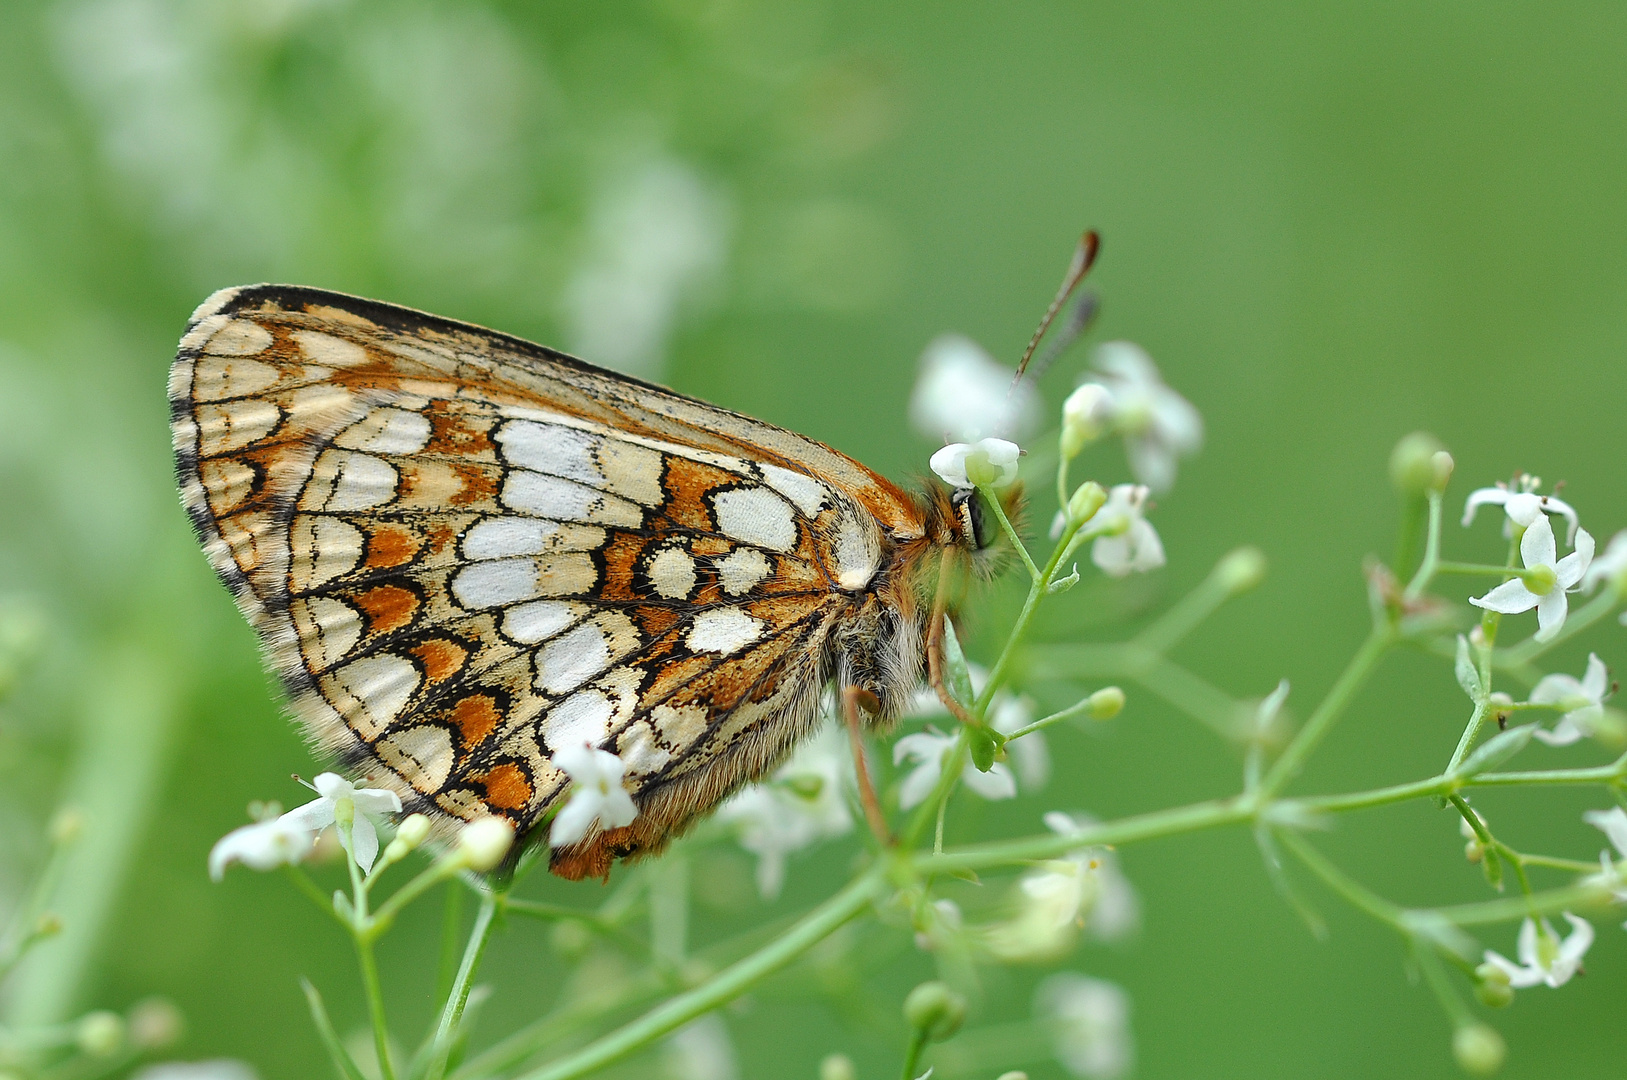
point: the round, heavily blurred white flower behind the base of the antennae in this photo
(966, 394)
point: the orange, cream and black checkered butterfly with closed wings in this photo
(463, 552)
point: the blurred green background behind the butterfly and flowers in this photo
(1330, 225)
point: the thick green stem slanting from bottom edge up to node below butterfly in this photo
(725, 986)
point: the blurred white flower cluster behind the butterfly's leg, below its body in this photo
(801, 806)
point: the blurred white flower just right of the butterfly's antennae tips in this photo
(1158, 424)
